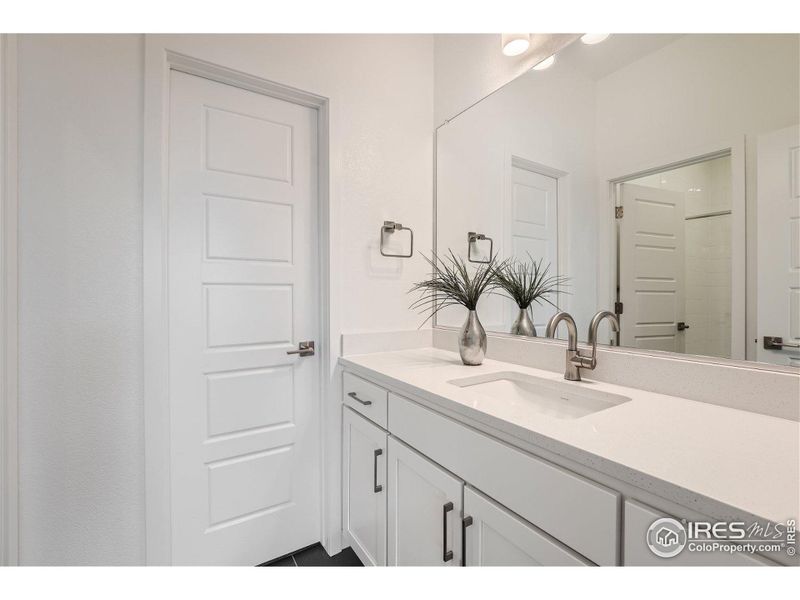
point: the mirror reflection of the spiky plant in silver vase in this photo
(526, 282)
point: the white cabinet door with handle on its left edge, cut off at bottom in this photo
(495, 537)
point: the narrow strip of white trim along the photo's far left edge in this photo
(9, 303)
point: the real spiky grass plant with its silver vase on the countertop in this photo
(454, 283)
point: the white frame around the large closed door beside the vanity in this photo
(159, 61)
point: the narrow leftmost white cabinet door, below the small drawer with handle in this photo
(364, 483)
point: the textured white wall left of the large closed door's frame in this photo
(80, 429)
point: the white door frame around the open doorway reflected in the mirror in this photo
(740, 299)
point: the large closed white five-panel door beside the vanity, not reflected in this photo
(243, 290)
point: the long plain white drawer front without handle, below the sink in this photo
(575, 511)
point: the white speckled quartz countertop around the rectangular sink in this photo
(721, 462)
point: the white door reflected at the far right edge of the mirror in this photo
(779, 244)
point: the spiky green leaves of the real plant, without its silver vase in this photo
(453, 283)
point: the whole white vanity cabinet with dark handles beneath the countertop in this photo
(421, 488)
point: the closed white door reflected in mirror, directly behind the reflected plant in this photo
(532, 229)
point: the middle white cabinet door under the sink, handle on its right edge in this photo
(424, 510)
